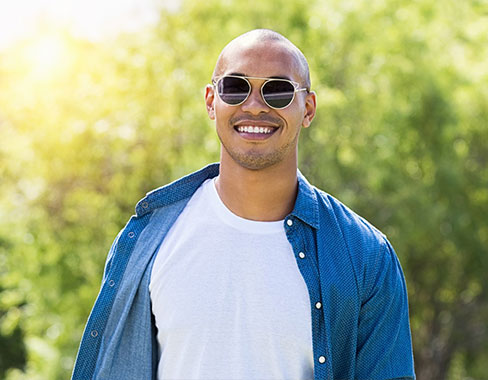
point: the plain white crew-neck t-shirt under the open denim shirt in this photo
(228, 298)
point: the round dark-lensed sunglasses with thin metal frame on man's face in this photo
(276, 93)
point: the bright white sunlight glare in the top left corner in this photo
(88, 19)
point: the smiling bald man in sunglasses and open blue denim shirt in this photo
(244, 270)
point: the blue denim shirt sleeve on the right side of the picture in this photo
(384, 340)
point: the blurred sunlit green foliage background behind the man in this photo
(102, 101)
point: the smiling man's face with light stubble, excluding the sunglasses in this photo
(260, 150)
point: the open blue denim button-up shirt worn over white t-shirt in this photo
(361, 331)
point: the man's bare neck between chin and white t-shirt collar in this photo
(263, 195)
